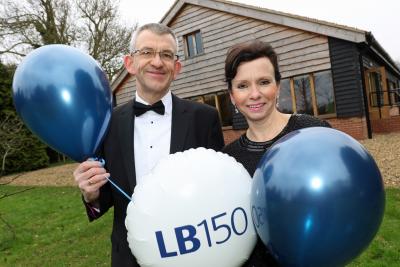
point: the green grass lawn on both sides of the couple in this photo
(49, 228)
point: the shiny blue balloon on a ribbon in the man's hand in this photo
(64, 97)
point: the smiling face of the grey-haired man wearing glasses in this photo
(154, 72)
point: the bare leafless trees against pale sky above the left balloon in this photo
(91, 25)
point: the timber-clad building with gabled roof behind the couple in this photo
(331, 71)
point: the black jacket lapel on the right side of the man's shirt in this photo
(180, 123)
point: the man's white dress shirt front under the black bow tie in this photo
(152, 137)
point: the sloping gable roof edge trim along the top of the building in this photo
(294, 21)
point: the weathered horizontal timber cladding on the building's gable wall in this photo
(299, 51)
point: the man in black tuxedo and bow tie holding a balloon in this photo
(136, 139)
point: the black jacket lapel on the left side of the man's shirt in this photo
(126, 124)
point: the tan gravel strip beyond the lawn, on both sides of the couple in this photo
(385, 148)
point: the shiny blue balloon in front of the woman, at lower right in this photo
(317, 198)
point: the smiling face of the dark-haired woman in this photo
(254, 89)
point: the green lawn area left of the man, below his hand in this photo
(51, 229)
